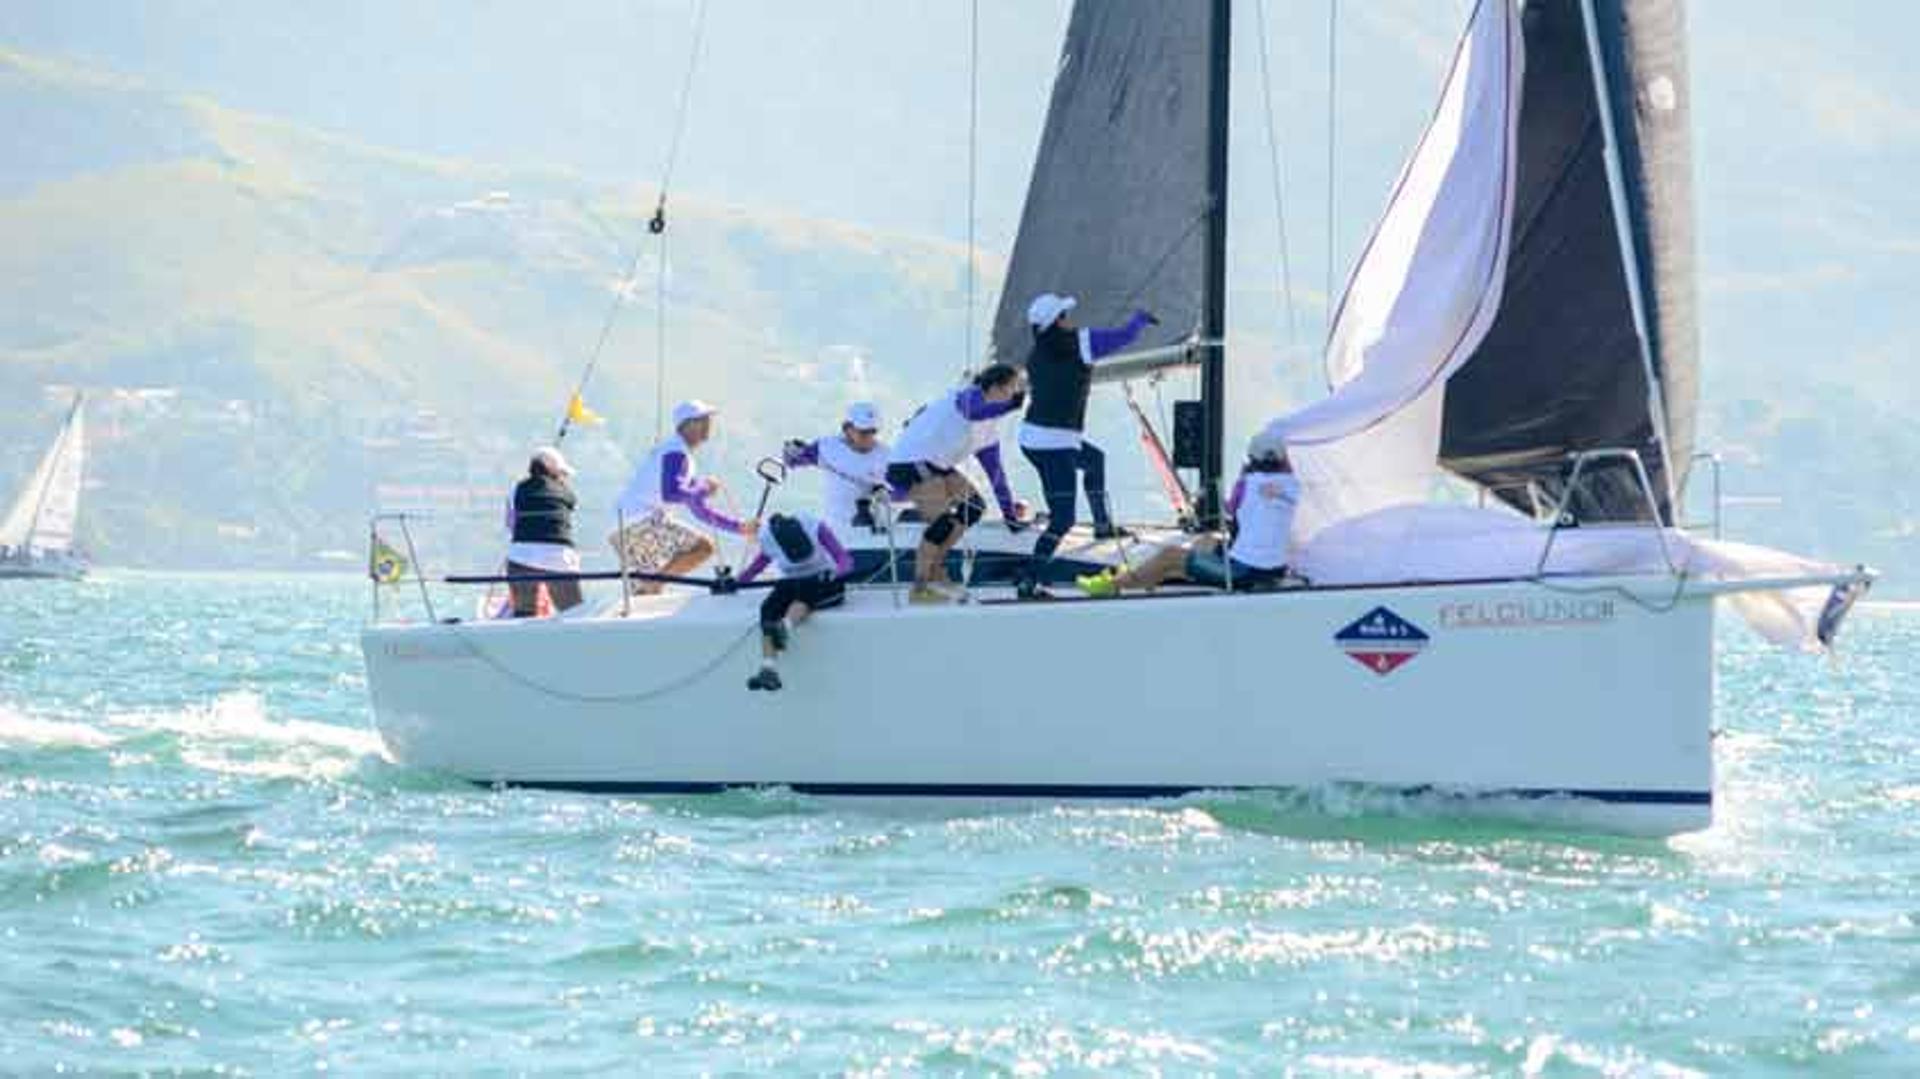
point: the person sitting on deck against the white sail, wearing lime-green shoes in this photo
(1262, 508)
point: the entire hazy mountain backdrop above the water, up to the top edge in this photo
(377, 243)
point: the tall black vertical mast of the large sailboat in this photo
(1214, 277)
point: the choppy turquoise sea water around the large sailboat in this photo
(206, 867)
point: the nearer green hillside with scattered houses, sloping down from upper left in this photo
(287, 329)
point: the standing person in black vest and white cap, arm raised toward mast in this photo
(1053, 437)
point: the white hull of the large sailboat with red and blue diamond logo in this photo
(1506, 692)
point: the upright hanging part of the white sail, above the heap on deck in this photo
(1422, 297)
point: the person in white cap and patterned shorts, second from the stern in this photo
(667, 500)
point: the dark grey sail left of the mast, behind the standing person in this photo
(1118, 204)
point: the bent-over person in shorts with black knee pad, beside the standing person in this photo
(926, 468)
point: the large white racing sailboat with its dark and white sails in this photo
(1520, 329)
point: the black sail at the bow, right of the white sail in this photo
(1564, 366)
